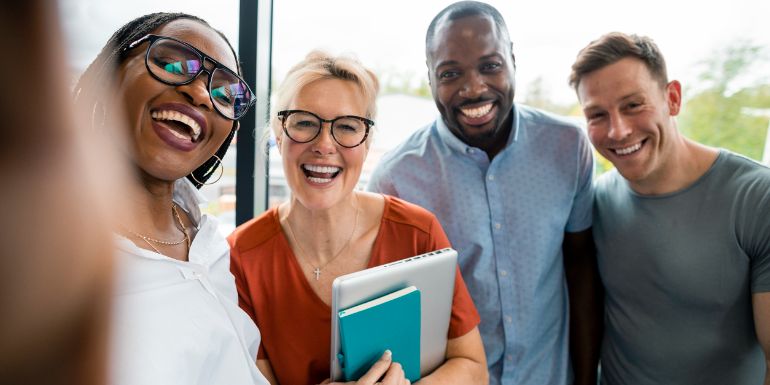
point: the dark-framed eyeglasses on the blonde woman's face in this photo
(303, 126)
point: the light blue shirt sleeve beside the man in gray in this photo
(581, 214)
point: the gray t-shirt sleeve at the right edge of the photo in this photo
(754, 231)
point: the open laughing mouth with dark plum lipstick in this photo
(179, 125)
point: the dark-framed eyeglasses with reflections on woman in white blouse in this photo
(175, 63)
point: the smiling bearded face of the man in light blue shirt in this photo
(470, 67)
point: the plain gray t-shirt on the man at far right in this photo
(679, 270)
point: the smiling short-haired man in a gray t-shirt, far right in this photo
(682, 231)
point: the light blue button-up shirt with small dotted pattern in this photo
(507, 218)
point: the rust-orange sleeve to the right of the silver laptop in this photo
(464, 314)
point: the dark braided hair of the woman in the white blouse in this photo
(102, 70)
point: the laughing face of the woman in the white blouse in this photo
(173, 129)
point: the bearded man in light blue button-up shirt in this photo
(511, 186)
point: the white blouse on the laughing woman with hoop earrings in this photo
(179, 322)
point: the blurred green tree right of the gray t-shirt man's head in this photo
(722, 110)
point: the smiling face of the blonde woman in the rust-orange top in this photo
(321, 173)
